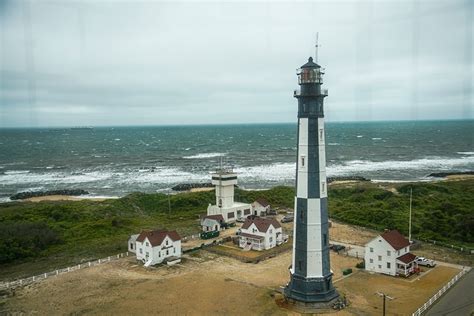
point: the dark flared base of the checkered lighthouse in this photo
(311, 291)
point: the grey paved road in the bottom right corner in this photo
(459, 300)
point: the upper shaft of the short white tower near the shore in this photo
(224, 180)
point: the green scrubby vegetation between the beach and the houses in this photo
(43, 236)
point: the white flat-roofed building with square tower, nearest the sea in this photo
(224, 180)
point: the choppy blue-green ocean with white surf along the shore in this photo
(114, 161)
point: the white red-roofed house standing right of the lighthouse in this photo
(390, 254)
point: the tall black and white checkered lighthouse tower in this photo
(311, 276)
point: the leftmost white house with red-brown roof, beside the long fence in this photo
(152, 247)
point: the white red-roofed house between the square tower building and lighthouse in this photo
(260, 234)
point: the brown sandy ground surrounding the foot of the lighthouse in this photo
(207, 284)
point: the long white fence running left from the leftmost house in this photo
(26, 281)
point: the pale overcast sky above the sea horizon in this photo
(81, 63)
